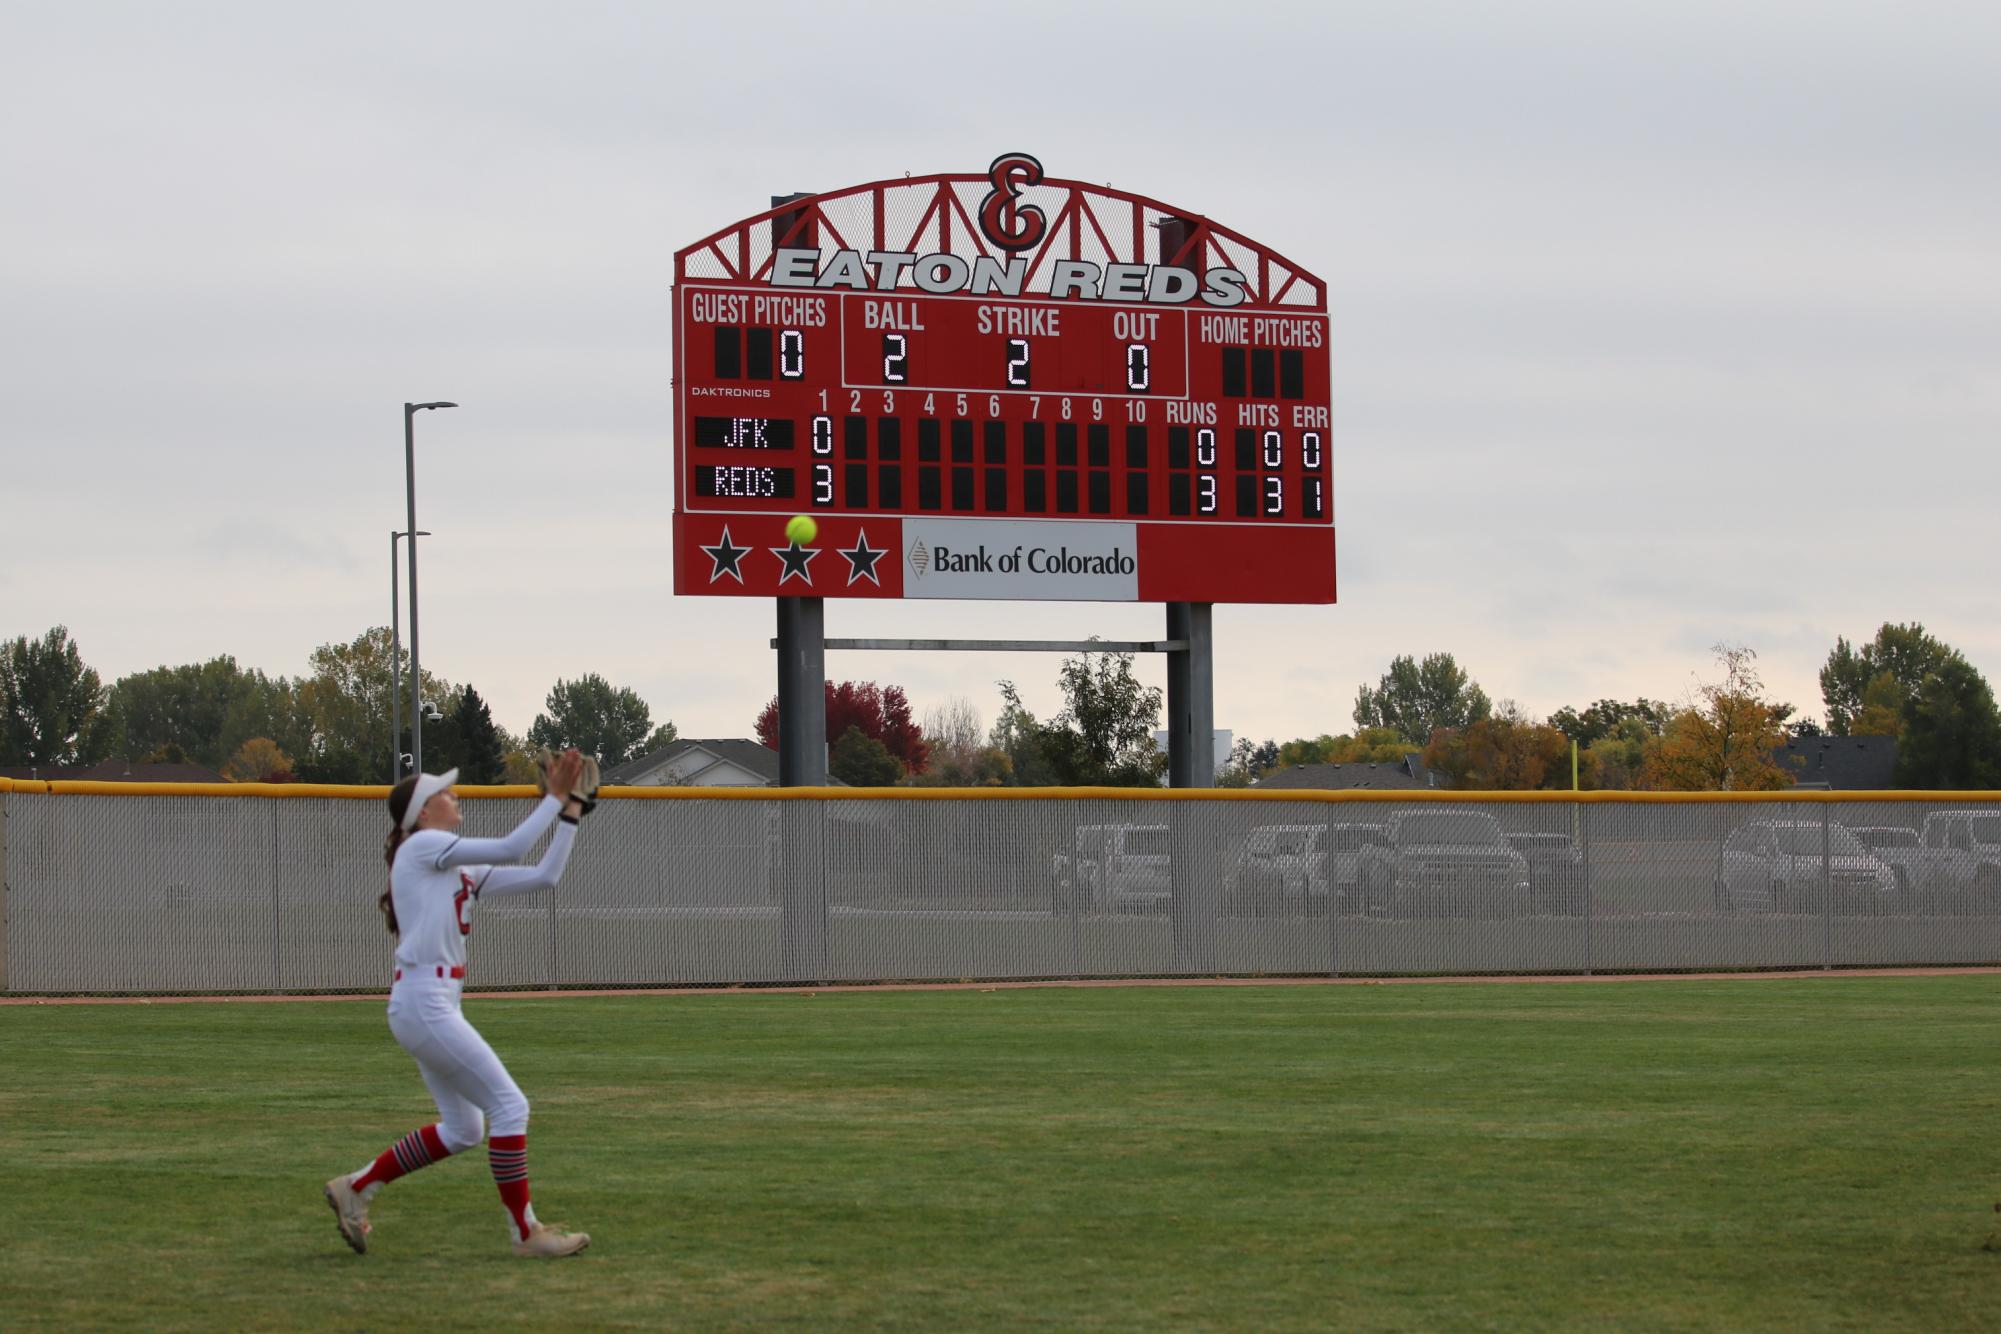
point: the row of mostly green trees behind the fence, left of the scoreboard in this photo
(329, 725)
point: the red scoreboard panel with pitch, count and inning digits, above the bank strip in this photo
(933, 405)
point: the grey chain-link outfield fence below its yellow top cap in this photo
(227, 893)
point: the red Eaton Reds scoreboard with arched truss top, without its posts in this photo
(999, 387)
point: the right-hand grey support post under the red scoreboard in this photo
(1192, 763)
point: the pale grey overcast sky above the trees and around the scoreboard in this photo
(1654, 325)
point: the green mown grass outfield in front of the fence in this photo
(1802, 1153)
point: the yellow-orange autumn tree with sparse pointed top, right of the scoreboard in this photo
(1726, 737)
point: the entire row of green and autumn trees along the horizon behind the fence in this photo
(331, 723)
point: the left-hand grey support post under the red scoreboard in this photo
(803, 765)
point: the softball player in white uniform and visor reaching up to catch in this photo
(433, 885)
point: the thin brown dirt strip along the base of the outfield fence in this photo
(971, 985)
